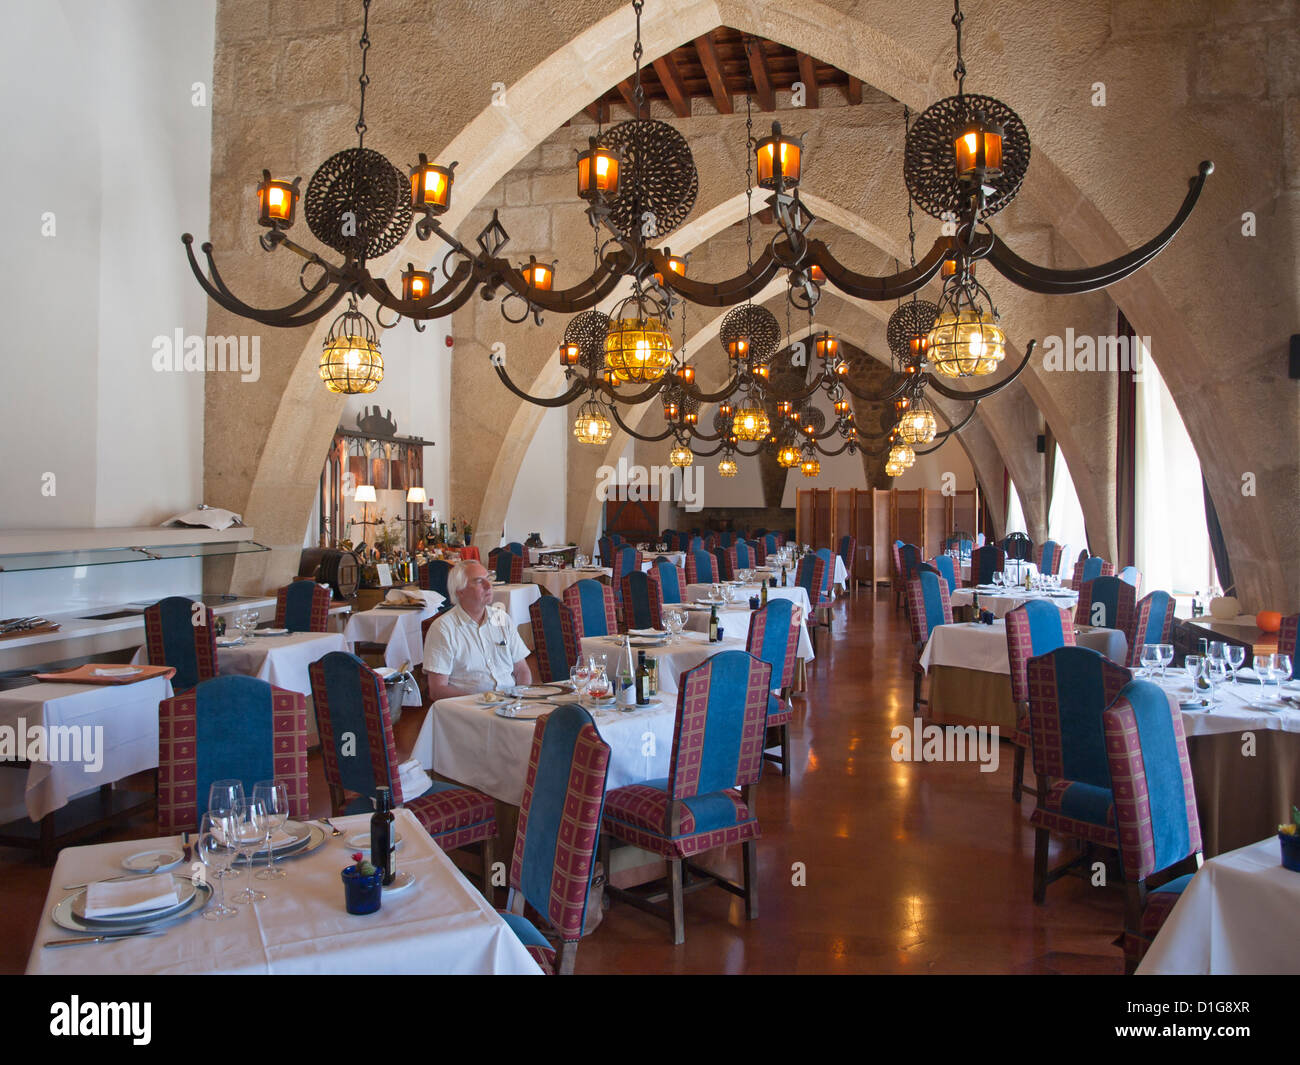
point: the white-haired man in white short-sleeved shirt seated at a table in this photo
(474, 647)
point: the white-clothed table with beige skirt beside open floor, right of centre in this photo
(970, 674)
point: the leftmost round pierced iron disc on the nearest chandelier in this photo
(358, 204)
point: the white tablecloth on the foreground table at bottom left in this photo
(440, 925)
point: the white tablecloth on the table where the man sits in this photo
(466, 742)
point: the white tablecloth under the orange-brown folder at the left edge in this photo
(127, 716)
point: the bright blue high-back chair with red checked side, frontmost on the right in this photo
(1155, 803)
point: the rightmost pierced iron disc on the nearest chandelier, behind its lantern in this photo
(929, 167)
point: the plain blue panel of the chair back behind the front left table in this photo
(233, 734)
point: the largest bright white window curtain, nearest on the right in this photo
(1172, 544)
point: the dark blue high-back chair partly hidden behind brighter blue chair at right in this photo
(1069, 690)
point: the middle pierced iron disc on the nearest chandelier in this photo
(658, 175)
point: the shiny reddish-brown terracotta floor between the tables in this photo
(908, 868)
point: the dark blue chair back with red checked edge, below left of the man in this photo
(352, 695)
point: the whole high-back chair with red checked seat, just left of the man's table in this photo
(359, 757)
